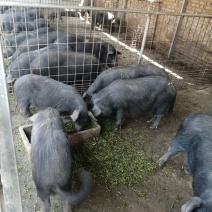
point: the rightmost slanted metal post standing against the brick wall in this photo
(179, 23)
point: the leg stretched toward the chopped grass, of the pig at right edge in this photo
(172, 150)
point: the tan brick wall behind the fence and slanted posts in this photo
(195, 34)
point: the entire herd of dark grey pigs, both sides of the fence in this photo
(138, 88)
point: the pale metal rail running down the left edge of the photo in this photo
(9, 171)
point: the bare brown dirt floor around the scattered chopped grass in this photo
(166, 190)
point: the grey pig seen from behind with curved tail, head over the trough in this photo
(52, 161)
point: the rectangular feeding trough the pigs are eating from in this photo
(73, 138)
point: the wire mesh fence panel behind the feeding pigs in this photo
(68, 30)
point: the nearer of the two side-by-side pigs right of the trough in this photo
(152, 93)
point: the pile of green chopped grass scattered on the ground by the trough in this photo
(115, 157)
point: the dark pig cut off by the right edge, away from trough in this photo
(194, 137)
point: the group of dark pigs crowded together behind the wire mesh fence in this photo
(42, 49)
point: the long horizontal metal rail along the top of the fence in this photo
(6, 3)
